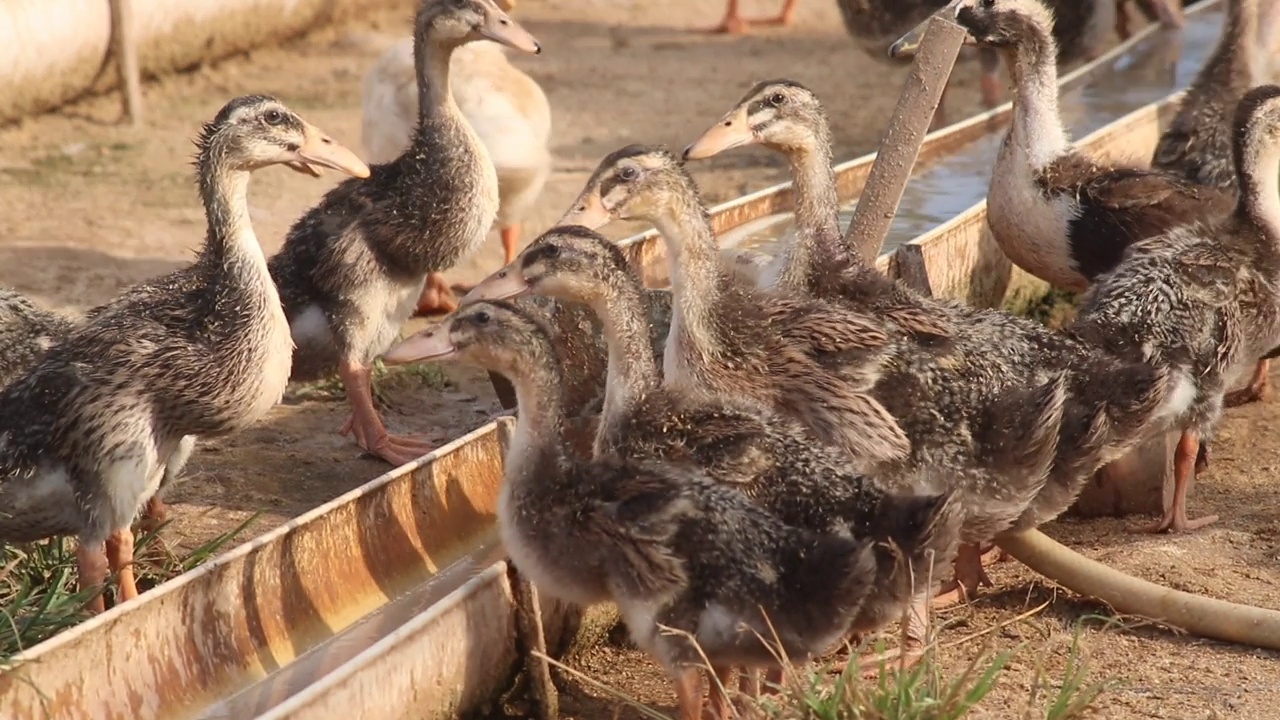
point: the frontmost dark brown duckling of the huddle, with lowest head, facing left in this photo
(661, 540)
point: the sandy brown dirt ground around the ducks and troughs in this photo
(89, 208)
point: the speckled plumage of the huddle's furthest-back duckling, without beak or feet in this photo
(948, 395)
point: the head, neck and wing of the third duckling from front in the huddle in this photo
(811, 361)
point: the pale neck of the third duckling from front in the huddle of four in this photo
(692, 256)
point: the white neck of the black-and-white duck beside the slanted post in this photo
(1037, 126)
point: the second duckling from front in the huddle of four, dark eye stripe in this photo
(737, 443)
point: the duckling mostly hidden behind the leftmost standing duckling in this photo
(28, 331)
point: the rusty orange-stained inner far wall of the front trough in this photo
(217, 630)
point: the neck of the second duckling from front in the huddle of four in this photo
(633, 371)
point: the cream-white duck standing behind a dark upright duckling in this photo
(506, 108)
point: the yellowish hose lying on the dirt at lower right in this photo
(1204, 617)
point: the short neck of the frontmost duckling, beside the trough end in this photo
(540, 417)
